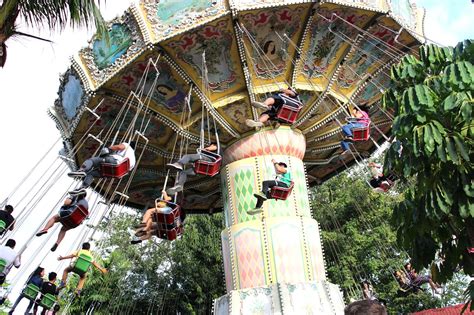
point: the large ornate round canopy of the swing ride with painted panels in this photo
(335, 53)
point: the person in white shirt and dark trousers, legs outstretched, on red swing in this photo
(115, 154)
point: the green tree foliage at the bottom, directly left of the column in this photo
(157, 276)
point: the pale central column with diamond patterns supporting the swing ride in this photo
(273, 261)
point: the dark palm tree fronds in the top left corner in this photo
(51, 13)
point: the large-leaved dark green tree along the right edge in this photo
(432, 97)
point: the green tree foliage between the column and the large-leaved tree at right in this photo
(360, 243)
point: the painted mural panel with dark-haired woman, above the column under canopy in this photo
(264, 41)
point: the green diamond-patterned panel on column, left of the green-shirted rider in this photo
(244, 188)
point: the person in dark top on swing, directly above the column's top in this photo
(272, 106)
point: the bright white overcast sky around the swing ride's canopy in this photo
(30, 79)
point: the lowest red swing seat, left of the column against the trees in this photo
(168, 225)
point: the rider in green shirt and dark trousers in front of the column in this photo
(283, 179)
